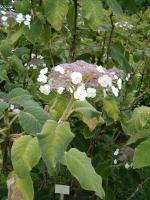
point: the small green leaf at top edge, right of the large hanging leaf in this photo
(115, 6)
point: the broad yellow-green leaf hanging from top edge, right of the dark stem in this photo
(92, 12)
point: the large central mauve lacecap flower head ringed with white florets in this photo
(80, 81)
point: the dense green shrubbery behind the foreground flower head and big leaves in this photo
(89, 35)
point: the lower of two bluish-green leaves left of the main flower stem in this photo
(32, 118)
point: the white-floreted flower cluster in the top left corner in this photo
(19, 18)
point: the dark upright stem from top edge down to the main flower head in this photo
(74, 34)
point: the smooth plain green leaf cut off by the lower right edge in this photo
(142, 155)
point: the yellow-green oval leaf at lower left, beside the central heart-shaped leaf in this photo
(25, 154)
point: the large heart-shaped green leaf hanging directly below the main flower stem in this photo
(53, 140)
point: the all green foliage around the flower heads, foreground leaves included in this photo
(65, 31)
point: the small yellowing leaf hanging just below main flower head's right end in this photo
(111, 108)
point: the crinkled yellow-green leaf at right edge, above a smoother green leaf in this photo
(138, 125)
